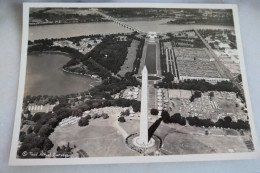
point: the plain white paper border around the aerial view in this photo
(13, 160)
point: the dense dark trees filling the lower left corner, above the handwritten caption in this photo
(37, 137)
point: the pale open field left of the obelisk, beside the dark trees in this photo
(98, 139)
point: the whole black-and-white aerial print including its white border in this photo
(131, 83)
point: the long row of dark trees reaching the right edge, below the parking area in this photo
(226, 122)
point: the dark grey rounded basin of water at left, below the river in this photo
(44, 76)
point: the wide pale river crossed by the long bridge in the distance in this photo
(78, 29)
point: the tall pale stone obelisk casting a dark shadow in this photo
(143, 138)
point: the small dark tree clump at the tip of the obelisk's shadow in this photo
(175, 118)
